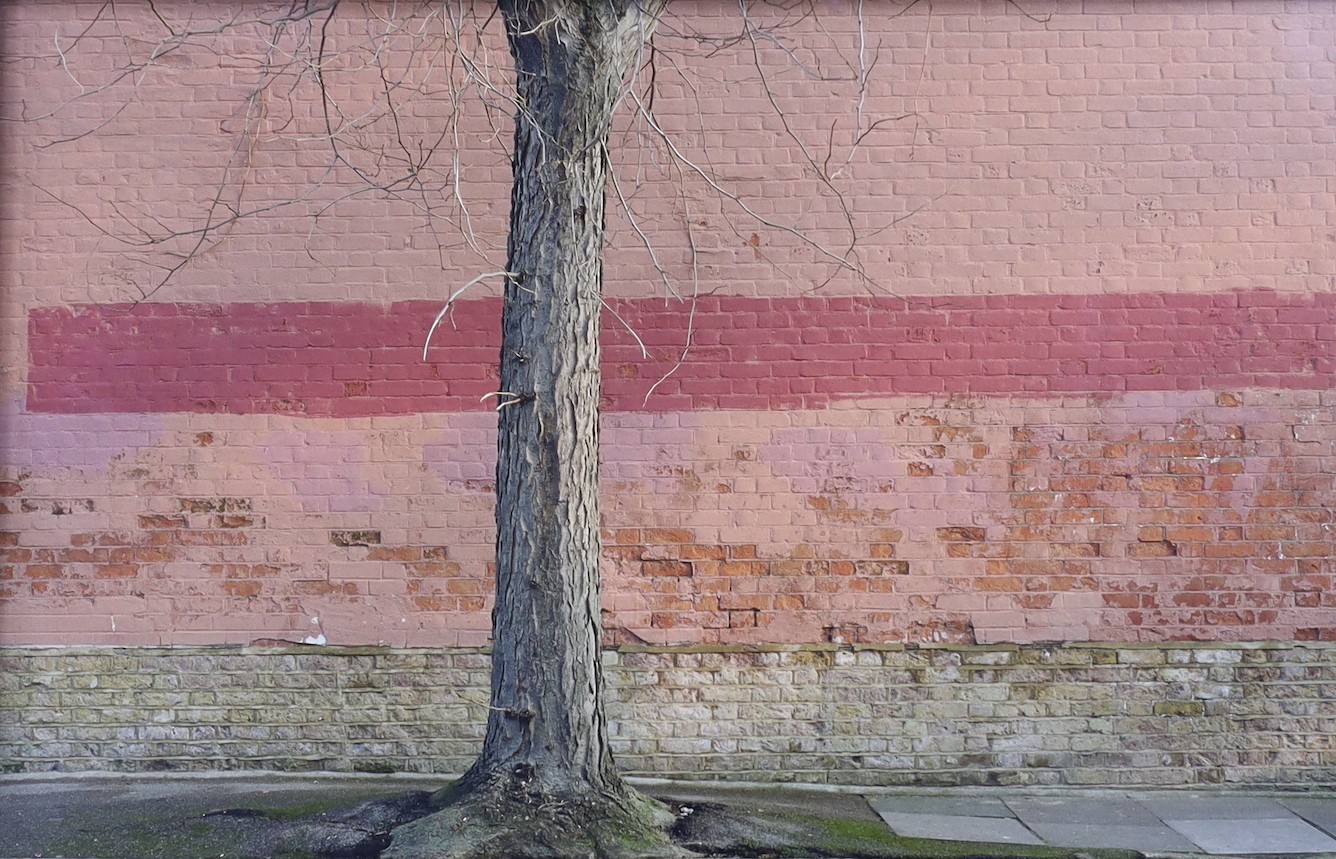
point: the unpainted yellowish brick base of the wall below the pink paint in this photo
(949, 715)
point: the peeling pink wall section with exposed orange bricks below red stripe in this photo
(1123, 519)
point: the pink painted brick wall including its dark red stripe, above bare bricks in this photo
(1084, 389)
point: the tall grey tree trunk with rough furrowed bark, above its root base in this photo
(547, 730)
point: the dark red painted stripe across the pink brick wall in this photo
(324, 359)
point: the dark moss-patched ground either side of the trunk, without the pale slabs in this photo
(353, 818)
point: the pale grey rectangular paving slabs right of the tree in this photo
(1152, 822)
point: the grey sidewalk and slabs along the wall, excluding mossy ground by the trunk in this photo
(104, 817)
